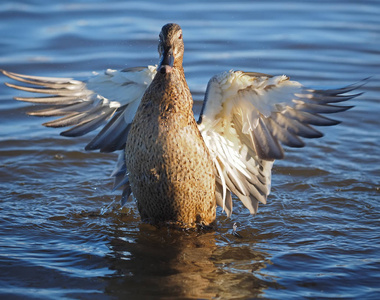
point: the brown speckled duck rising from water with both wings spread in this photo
(177, 168)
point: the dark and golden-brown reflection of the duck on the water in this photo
(169, 263)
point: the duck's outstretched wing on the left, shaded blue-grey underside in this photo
(113, 96)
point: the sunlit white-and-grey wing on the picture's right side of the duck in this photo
(247, 116)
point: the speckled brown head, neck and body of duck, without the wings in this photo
(170, 169)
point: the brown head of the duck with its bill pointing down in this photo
(170, 48)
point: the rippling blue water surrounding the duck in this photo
(318, 237)
